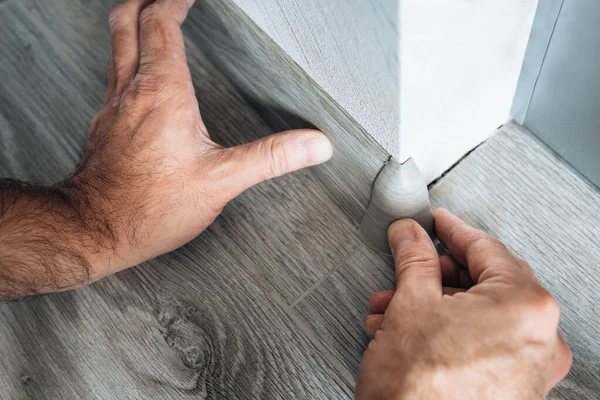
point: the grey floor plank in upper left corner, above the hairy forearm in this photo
(42, 132)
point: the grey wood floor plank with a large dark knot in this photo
(177, 327)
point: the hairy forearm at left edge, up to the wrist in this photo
(50, 239)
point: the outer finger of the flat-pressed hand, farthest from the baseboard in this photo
(124, 30)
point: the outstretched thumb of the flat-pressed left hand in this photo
(272, 156)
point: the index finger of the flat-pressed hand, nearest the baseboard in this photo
(161, 40)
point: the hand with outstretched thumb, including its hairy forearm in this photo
(150, 178)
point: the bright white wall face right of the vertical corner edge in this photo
(460, 63)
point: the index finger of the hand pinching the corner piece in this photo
(471, 247)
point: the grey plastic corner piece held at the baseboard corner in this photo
(400, 191)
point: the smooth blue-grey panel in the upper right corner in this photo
(564, 110)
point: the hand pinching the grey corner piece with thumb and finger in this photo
(477, 325)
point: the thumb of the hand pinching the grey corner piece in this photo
(417, 263)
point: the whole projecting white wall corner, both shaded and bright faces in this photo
(458, 69)
